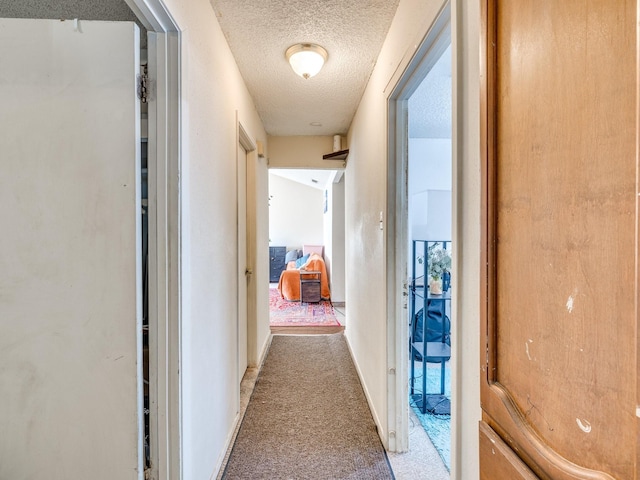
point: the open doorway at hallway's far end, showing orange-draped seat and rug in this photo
(306, 208)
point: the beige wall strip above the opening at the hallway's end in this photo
(302, 152)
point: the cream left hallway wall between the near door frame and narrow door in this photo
(213, 96)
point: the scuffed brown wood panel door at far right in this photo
(560, 204)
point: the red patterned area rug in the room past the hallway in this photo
(283, 313)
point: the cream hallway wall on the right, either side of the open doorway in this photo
(366, 178)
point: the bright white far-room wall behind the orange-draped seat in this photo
(295, 213)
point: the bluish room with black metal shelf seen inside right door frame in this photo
(430, 247)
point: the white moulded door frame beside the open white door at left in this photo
(163, 44)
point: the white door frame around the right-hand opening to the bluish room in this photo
(430, 48)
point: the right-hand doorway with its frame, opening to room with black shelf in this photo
(420, 193)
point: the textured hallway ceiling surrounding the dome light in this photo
(259, 32)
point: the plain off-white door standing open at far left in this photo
(70, 290)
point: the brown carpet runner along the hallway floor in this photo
(308, 417)
